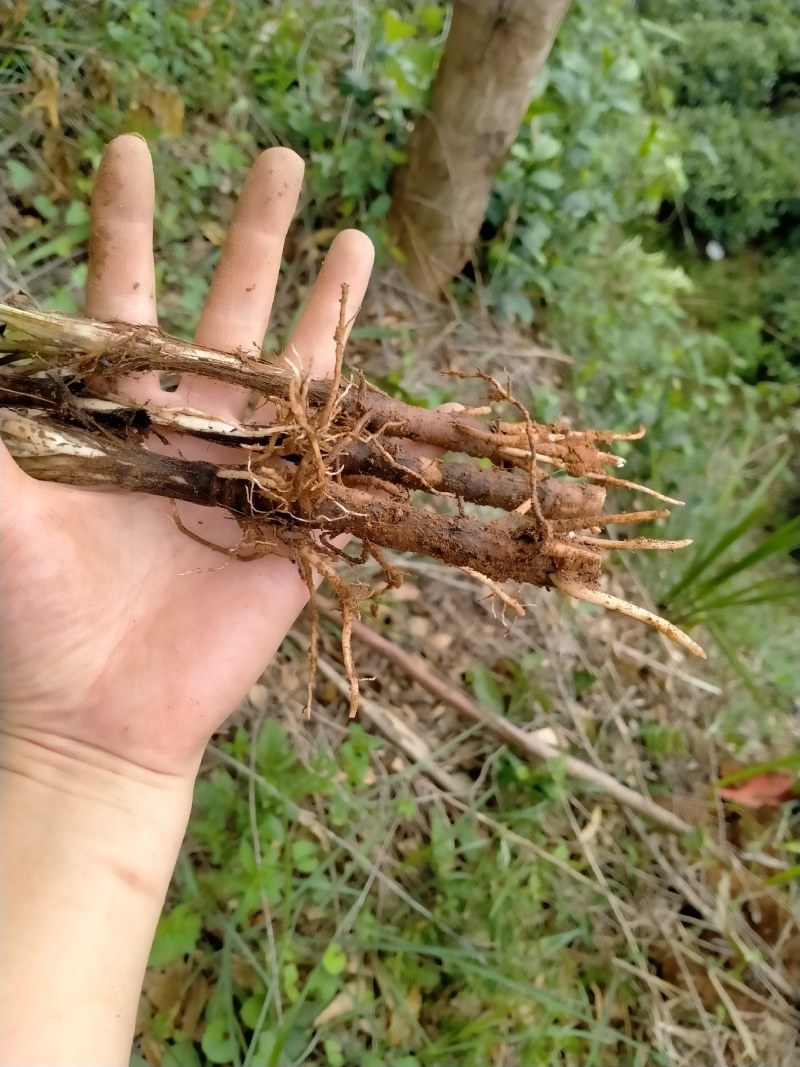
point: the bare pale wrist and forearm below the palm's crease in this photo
(88, 849)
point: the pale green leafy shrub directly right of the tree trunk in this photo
(588, 155)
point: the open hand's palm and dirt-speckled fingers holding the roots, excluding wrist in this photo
(122, 636)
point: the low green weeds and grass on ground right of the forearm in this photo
(450, 939)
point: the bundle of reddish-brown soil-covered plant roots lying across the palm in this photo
(340, 457)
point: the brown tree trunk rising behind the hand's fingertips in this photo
(483, 89)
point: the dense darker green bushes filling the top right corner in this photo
(728, 75)
